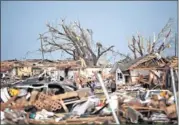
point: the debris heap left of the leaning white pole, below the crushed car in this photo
(41, 107)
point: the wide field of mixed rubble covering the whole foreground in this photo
(40, 100)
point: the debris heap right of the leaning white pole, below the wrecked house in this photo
(159, 106)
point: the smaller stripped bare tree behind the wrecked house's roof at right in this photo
(157, 46)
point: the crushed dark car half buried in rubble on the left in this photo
(46, 87)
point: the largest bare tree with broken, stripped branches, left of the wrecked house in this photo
(74, 40)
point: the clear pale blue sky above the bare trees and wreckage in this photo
(112, 22)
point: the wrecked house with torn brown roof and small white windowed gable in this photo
(131, 70)
